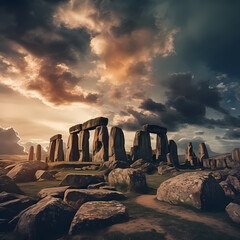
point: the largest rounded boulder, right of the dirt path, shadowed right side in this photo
(196, 189)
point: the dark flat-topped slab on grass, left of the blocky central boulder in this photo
(75, 180)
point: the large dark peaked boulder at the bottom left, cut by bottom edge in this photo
(47, 219)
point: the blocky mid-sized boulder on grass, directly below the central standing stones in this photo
(133, 179)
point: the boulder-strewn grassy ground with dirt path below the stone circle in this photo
(77, 202)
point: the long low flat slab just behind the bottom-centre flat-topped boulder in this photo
(76, 197)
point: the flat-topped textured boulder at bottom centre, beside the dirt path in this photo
(93, 215)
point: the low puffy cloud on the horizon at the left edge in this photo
(9, 142)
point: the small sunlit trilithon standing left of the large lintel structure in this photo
(55, 151)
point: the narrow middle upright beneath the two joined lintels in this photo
(83, 146)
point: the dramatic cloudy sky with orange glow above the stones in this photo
(166, 62)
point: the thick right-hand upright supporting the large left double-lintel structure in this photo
(100, 144)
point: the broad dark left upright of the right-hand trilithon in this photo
(142, 146)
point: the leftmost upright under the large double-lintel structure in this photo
(72, 148)
